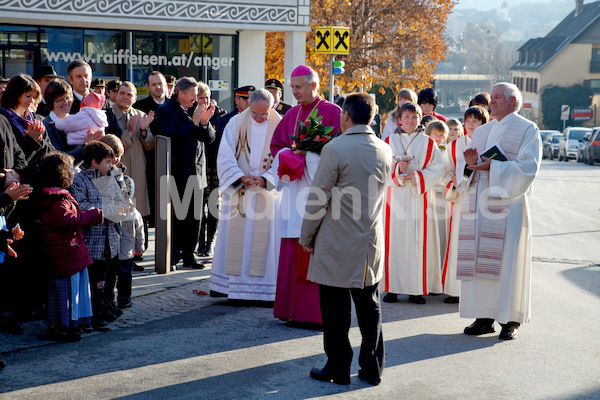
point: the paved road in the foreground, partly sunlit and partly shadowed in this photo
(197, 347)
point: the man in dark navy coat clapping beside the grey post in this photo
(189, 132)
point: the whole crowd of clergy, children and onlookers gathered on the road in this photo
(430, 206)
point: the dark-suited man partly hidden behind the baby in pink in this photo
(79, 75)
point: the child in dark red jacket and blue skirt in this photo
(69, 305)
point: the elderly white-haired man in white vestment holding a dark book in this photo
(494, 249)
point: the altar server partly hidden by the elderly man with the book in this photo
(474, 118)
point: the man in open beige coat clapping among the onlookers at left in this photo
(136, 138)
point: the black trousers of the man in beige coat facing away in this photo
(336, 313)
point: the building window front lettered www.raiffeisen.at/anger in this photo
(206, 57)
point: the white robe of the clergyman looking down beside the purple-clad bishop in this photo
(244, 286)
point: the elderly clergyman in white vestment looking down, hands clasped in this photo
(247, 246)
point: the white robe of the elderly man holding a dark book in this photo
(507, 298)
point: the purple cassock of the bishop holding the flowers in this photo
(298, 299)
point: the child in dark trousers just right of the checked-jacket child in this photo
(132, 236)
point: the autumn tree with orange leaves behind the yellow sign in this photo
(393, 43)
